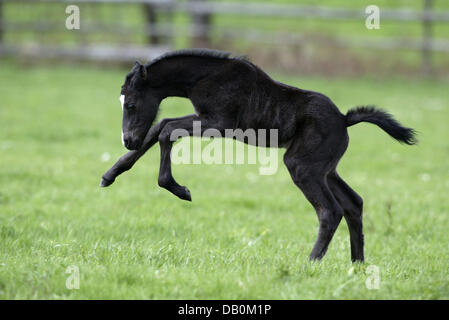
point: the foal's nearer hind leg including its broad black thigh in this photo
(313, 153)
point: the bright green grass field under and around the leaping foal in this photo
(244, 235)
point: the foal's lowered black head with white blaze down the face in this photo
(139, 105)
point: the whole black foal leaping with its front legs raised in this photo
(230, 93)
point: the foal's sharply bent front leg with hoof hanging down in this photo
(166, 179)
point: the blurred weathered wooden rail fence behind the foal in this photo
(159, 36)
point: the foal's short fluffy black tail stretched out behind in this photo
(384, 120)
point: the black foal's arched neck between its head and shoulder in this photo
(177, 76)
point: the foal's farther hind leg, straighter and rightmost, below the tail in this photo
(352, 205)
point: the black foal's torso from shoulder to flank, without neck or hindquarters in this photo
(245, 97)
